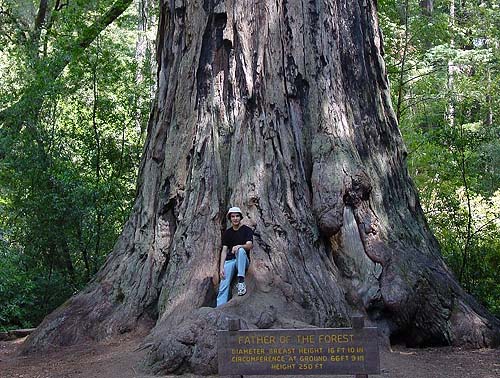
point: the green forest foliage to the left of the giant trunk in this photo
(69, 151)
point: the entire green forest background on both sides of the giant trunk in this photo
(77, 78)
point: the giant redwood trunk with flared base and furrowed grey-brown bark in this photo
(281, 108)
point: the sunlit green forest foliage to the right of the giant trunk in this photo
(444, 71)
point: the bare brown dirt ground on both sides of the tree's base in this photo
(119, 358)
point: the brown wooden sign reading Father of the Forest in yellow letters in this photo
(311, 351)
